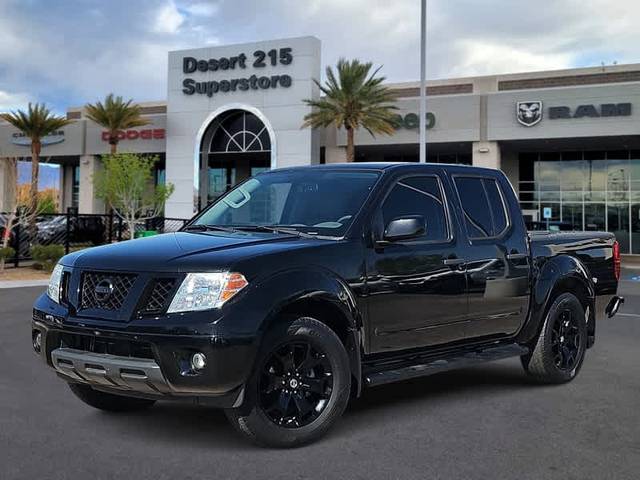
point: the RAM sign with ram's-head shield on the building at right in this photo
(530, 112)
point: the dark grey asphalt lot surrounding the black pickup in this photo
(485, 422)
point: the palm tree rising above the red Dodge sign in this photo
(115, 114)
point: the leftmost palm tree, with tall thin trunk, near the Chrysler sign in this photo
(37, 122)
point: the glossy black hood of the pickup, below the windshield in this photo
(175, 252)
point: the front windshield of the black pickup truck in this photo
(307, 200)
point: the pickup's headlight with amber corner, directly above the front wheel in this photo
(204, 291)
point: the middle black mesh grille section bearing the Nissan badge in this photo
(105, 291)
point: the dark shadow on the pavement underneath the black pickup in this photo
(208, 428)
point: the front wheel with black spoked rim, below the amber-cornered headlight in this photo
(300, 387)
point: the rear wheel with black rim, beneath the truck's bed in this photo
(561, 346)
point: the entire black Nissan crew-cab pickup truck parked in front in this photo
(301, 287)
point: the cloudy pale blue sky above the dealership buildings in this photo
(68, 52)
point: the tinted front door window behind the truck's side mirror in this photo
(418, 196)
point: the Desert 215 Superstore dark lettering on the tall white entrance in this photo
(258, 60)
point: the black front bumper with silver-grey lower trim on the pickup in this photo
(146, 365)
